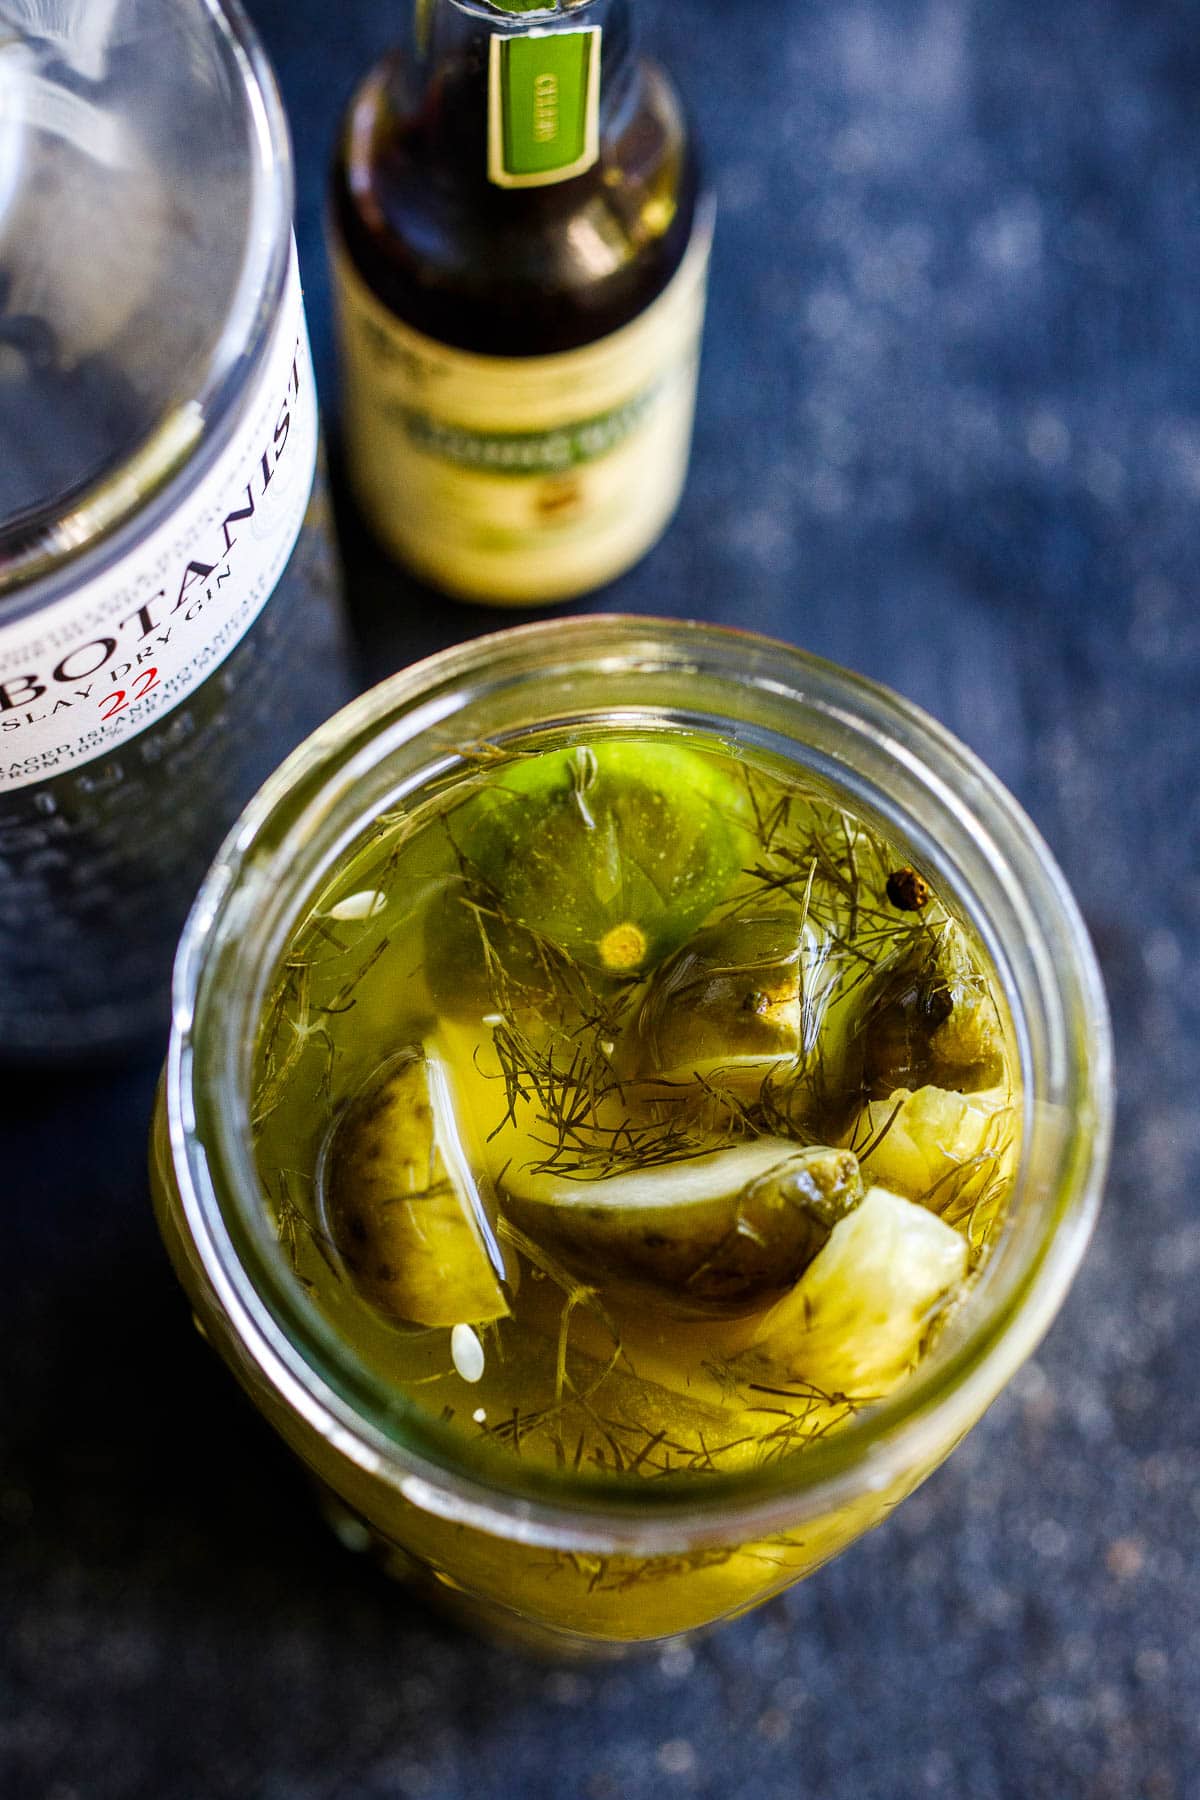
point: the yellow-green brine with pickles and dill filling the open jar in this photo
(632, 1113)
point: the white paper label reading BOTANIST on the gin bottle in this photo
(107, 661)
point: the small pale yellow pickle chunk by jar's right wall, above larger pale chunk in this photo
(936, 1144)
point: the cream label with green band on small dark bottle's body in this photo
(523, 480)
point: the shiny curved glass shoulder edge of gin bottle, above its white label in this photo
(53, 548)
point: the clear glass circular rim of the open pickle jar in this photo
(958, 816)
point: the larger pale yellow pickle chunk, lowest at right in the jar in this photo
(855, 1324)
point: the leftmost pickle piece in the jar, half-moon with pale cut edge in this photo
(407, 1209)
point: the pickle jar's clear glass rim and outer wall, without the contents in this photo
(544, 1554)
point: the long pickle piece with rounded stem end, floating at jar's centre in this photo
(715, 1234)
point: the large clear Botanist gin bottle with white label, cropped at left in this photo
(170, 620)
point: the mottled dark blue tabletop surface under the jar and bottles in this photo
(949, 435)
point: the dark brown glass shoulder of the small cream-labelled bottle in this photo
(512, 273)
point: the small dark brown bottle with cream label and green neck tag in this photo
(521, 244)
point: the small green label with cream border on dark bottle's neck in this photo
(544, 107)
